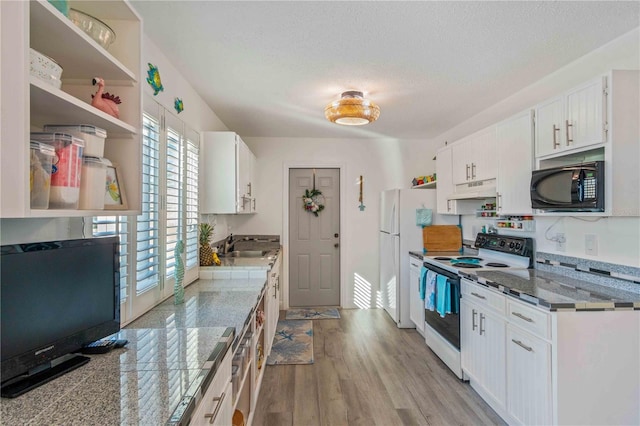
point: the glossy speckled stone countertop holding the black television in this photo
(170, 355)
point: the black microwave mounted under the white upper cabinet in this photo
(574, 188)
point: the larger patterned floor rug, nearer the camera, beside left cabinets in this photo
(292, 344)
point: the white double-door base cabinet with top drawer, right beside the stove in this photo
(482, 330)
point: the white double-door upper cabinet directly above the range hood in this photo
(474, 157)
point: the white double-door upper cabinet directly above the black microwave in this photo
(573, 120)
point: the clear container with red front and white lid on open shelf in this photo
(66, 170)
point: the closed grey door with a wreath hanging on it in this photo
(314, 237)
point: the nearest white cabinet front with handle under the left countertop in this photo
(215, 407)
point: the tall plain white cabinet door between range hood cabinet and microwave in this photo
(515, 162)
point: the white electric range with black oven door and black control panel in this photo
(442, 333)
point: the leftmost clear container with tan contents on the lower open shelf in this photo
(42, 156)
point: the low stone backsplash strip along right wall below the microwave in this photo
(608, 274)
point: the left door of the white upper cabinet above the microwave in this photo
(549, 120)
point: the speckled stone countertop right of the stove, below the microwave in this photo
(556, 292)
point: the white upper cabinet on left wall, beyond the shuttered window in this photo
(228, 167)
